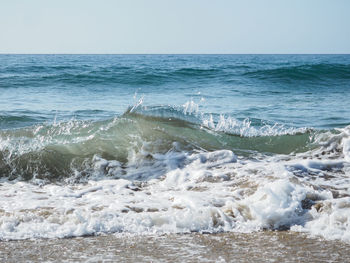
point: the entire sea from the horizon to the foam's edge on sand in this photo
(172, 144)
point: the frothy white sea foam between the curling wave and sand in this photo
(204, 191)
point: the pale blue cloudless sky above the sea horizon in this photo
(175, 26)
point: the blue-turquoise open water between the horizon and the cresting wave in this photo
(296, 90)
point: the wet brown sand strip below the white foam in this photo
(283, 246)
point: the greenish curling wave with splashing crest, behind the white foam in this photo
(68, 149)
